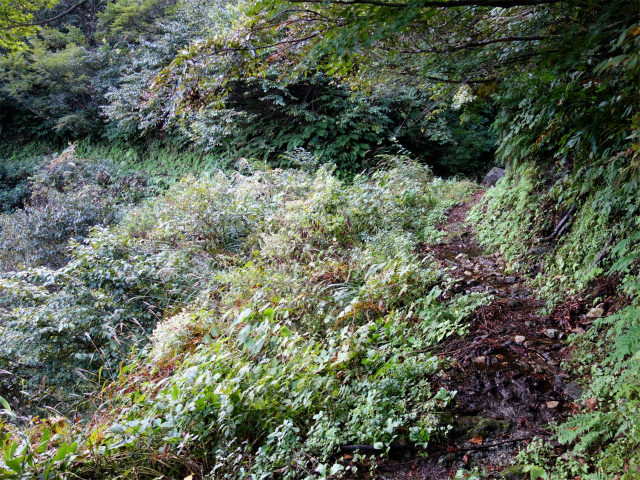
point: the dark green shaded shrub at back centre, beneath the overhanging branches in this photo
(264, 118)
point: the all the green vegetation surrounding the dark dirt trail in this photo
(220, 277)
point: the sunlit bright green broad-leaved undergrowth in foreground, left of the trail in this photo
(260, 413)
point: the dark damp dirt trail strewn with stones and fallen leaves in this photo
(507, 372)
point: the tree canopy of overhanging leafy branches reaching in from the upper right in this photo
(564, 72)
